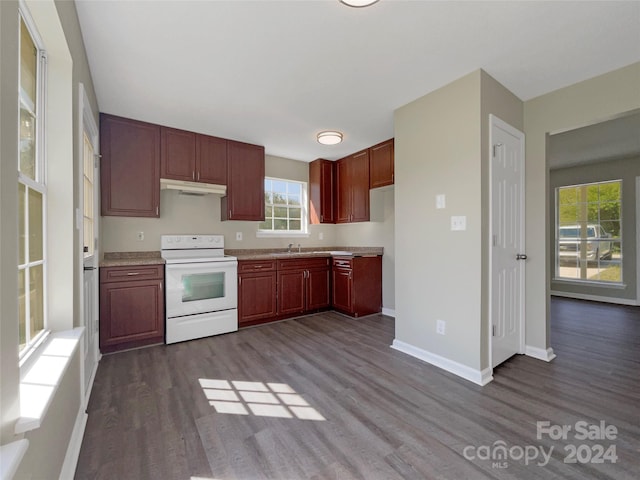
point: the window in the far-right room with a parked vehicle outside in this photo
(589, 232)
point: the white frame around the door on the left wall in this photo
(86, 122)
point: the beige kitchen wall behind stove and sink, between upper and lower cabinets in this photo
(184, 214)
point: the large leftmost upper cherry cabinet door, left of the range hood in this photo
(129, 168)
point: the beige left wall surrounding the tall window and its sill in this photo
(67, 66)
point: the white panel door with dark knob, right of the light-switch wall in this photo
(507, 233)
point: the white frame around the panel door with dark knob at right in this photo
(496, 122)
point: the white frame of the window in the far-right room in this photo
(582, 281)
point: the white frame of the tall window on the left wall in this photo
(39, 184)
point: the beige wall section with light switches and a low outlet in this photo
(439, 272)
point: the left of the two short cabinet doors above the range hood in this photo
(177, 154)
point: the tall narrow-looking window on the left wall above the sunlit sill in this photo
(32, 190)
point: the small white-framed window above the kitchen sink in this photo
(285, 207)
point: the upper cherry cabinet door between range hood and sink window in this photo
(245, 183)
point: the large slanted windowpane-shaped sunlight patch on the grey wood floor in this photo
(277, 400)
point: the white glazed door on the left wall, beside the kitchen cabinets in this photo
(88, 226)
